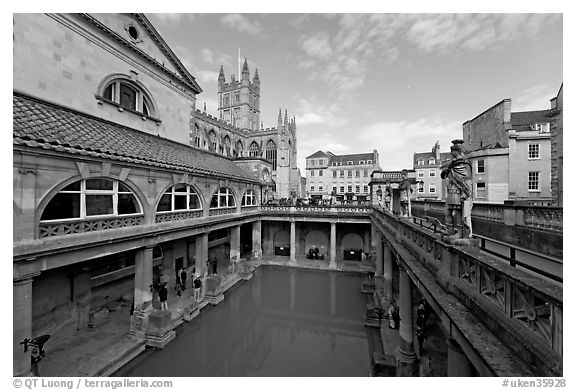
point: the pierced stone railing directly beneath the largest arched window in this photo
(50, 229)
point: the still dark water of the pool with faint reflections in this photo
(283, 322)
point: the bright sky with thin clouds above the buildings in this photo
(396, 83)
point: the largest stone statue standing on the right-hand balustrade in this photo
(458, 212)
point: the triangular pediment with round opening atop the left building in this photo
(136, 33)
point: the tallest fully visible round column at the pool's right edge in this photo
(406, 355)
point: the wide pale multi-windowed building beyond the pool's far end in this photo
(347, 174)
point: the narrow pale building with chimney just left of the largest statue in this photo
(427, 168)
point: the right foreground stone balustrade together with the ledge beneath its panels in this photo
(523, 310)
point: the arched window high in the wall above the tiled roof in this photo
(128, 95)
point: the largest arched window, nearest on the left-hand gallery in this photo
(92, 198)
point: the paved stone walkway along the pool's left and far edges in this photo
(102, 350)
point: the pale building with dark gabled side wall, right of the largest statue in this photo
(510, 154)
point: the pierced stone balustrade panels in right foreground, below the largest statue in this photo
(525, 299)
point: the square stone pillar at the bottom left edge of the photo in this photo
(22, 324)
